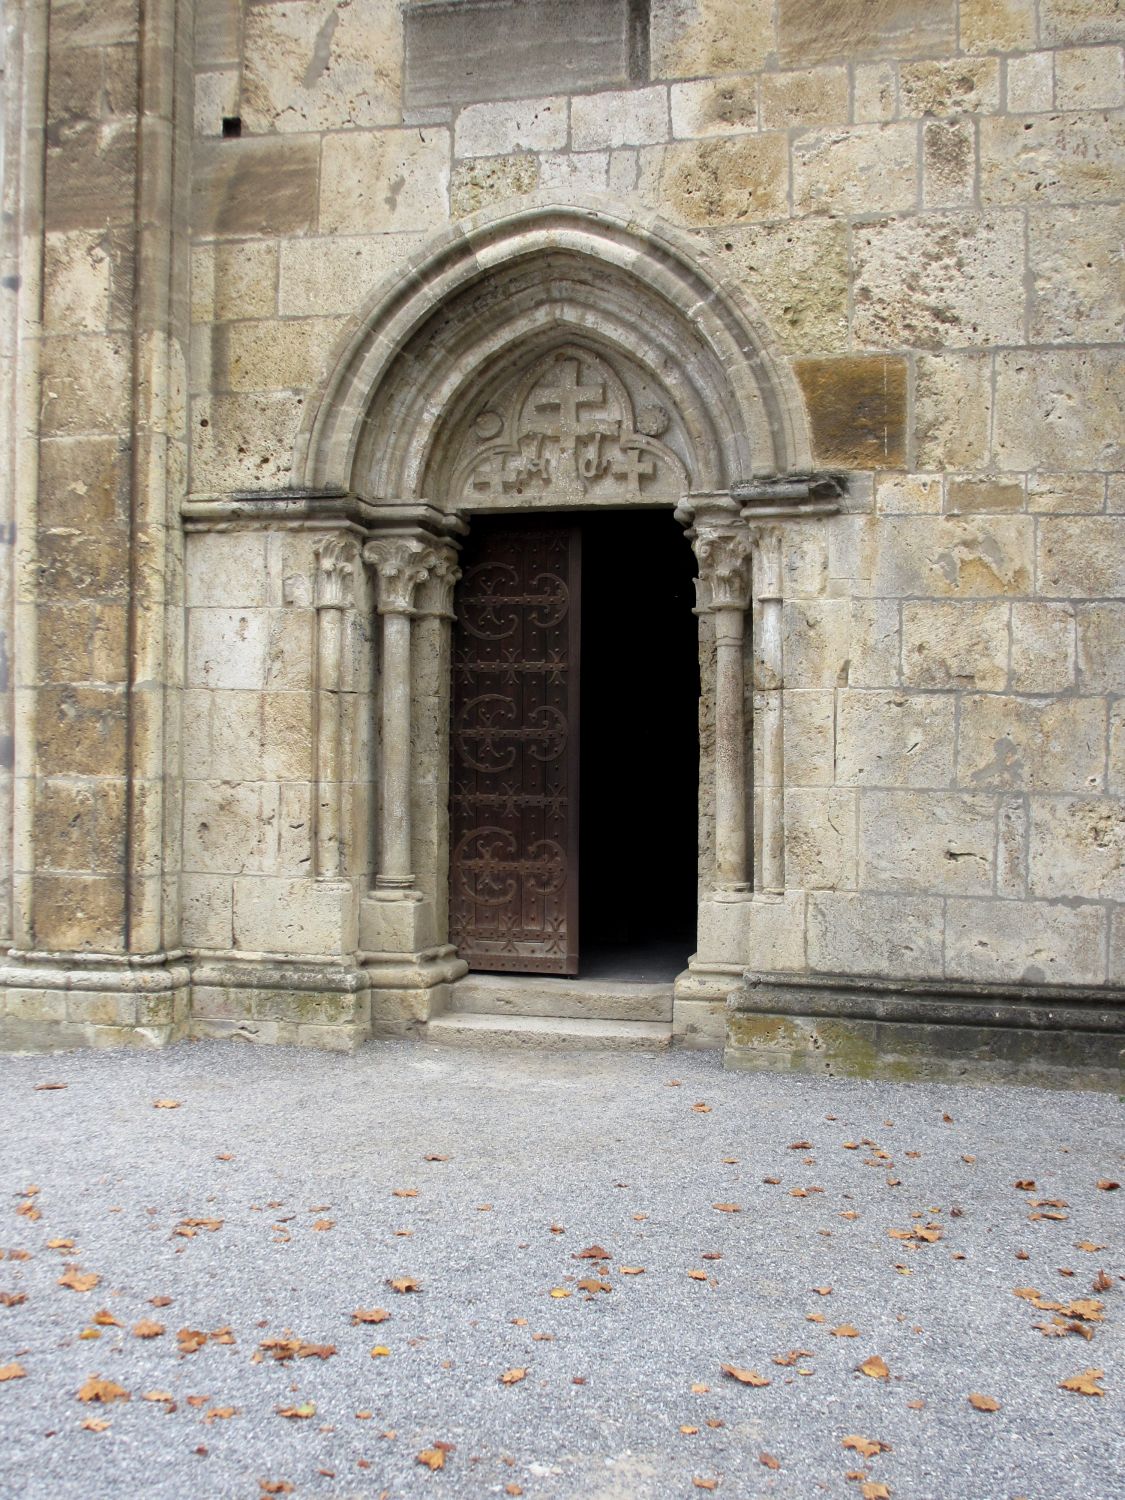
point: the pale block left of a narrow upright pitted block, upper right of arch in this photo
(863, 169)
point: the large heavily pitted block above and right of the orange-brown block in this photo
(968, 293)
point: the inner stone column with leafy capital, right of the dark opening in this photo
(722, 545)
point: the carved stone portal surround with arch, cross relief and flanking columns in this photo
(551, 361)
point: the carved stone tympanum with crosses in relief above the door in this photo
(568, 431)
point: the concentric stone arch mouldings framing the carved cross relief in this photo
(503, 287)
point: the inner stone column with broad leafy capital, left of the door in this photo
(400, 566)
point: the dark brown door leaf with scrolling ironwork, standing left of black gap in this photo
(514, 775)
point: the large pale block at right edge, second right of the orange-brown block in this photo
(1058, 410)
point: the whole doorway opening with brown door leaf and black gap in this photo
(575, 751)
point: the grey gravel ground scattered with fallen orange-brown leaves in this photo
(569, 1151)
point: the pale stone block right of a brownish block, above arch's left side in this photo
(392, 181)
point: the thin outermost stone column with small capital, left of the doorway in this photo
(335, 572)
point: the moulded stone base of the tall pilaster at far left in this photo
(50, 1003)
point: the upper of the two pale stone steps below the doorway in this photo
(551, 997)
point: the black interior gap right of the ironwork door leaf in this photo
(638, 830)
